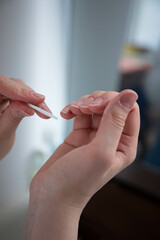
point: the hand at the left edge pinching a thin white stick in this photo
(13, 94)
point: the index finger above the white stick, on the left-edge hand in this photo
(16, 91)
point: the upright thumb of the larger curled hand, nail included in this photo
(113, 122)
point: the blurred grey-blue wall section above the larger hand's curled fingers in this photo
(98, 35)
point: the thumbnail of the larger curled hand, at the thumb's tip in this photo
(127, 100)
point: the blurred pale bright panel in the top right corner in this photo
(145, 30)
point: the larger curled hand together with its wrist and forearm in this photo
(102, 143)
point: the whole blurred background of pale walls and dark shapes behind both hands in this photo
(65, 49)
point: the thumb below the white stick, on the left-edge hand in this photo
(12, 116)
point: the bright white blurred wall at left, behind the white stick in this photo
(32, 47)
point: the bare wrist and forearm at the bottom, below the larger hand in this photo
(50, 221)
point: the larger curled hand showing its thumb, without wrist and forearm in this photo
(102, 143)
